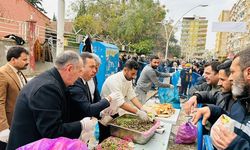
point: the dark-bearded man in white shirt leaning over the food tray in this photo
(121, 82)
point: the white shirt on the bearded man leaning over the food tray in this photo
(118, 83)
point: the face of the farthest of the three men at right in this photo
(211, 77)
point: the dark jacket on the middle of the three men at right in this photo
(223, 100)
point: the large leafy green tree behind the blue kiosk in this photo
(123, 22)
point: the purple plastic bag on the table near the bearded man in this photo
(186, 134)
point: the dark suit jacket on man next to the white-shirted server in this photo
(81, 106)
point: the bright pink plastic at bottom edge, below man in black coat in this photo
(60, 143)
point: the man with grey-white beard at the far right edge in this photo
(222, 137)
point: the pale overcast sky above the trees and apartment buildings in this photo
(176, 9)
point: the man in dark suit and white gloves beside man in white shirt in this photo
(83, 103)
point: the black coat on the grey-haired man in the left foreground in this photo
(42, 112)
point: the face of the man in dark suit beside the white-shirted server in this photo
(89, 69)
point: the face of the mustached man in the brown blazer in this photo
(21, 62)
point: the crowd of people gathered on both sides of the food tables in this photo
(65, 102)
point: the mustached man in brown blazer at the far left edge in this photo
(11, 82)
